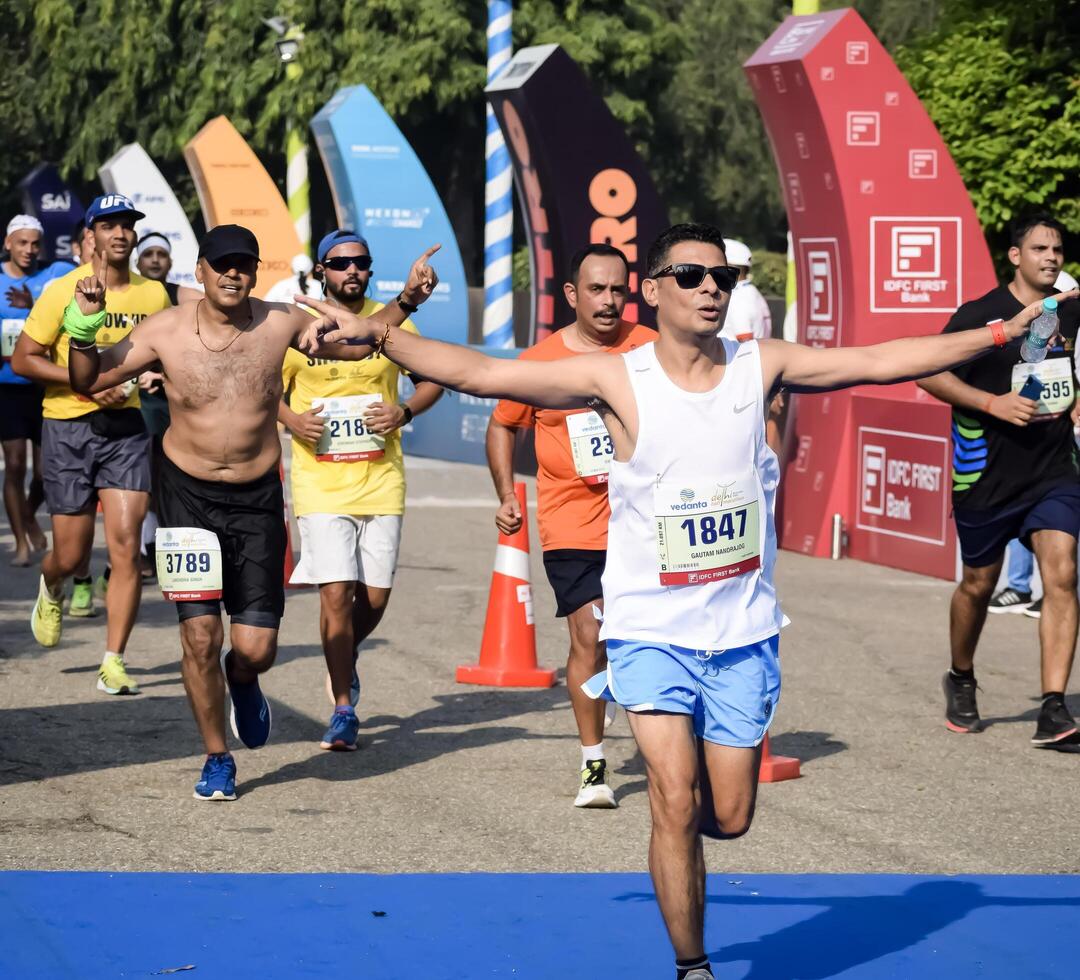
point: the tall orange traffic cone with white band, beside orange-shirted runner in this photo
(508, 653)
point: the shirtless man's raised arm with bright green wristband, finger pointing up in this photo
(90, 372)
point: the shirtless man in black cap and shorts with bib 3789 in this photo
(223, 534)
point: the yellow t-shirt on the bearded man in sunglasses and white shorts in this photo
(360, 488)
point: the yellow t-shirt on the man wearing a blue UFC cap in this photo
(124, 310)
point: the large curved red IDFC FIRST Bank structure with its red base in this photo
(887, 245)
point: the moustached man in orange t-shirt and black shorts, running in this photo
(574, 452)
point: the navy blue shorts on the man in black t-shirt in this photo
(984, 536)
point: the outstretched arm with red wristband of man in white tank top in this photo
(805, 369)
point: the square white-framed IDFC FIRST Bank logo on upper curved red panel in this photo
(915, 265)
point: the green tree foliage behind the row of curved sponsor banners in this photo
(85, 77)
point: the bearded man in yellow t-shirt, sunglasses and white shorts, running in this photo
(348, 479)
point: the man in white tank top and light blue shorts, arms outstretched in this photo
(691, 613)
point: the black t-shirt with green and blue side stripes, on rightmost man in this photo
(995, 464)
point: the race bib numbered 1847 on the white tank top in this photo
(707, 531)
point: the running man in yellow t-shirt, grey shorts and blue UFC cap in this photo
(93, 449)
